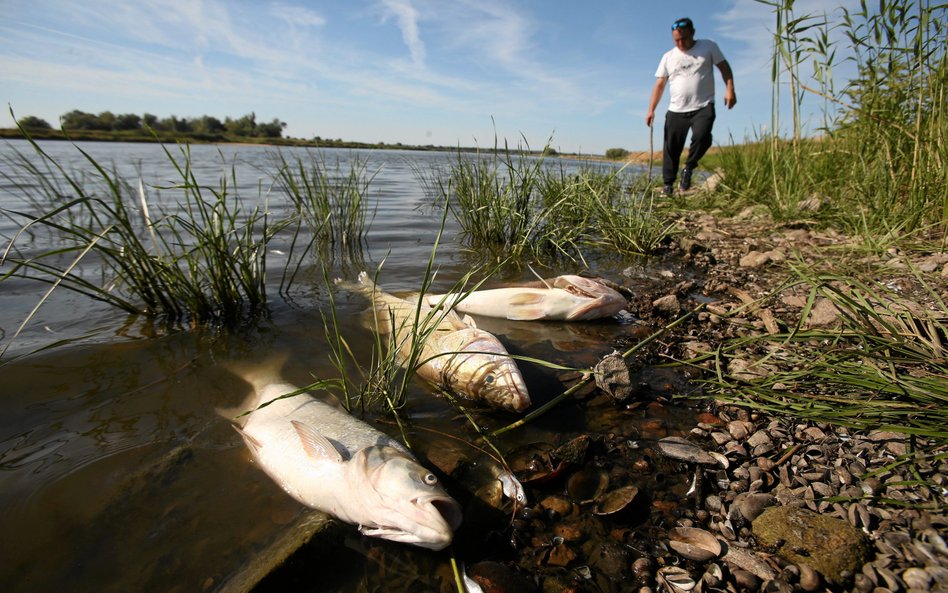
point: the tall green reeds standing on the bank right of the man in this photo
(879, 165)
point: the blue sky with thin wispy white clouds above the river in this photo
(444, 72)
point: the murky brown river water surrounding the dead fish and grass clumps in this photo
(117, 472)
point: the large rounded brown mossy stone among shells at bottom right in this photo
(831, 546)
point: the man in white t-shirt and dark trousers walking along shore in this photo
(691, 107)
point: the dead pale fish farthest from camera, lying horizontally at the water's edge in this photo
(564, 298)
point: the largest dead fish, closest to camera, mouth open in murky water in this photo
(330, 461)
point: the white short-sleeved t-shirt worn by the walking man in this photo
(690, 75)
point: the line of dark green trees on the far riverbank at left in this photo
(246, 126)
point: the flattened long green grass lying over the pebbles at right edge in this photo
(884, 366)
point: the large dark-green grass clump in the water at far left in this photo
(202, 261)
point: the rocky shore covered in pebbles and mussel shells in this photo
(747, 500)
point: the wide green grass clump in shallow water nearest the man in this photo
(514, 204)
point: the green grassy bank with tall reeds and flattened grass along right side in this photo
(874, 187)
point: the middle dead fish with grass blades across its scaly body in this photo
(454, 353)
